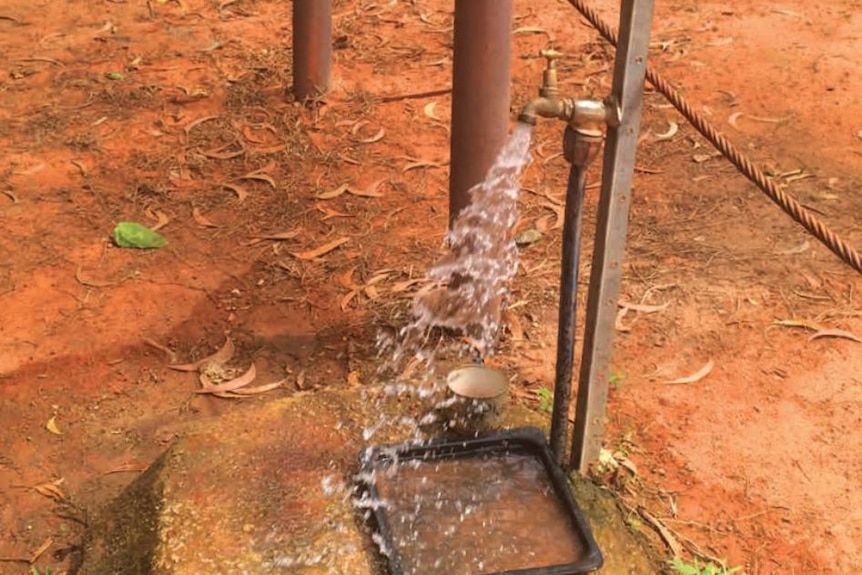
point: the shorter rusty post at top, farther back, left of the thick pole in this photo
(312, 47)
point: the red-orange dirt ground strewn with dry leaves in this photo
(758, 463)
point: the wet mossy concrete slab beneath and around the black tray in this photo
(245, 493)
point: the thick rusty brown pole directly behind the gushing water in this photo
(481, 76)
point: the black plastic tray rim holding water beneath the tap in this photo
(527, 441)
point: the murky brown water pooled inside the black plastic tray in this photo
(477, 515)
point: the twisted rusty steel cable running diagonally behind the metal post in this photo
(797, 211)
